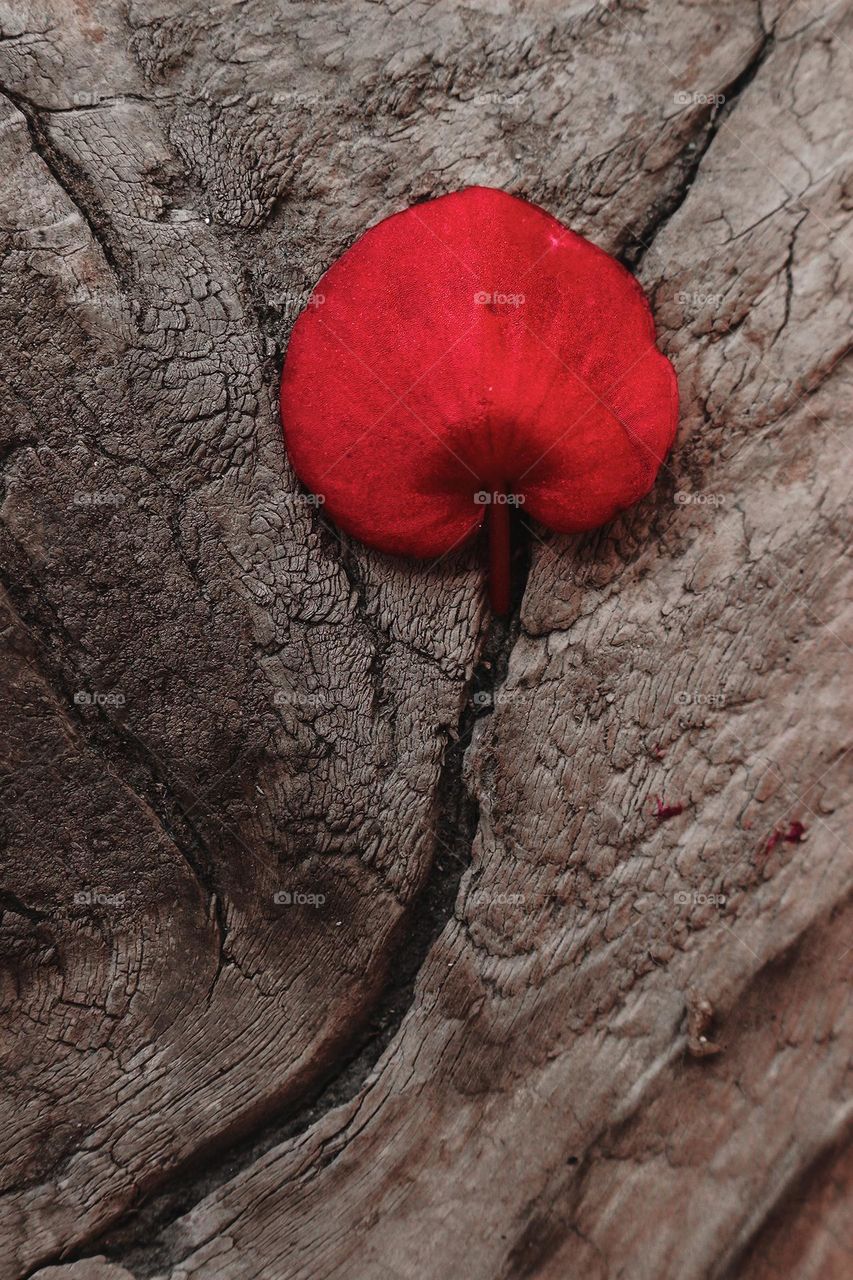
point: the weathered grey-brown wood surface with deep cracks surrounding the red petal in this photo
(626, 1053)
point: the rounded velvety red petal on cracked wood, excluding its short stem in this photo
(475, 344)
